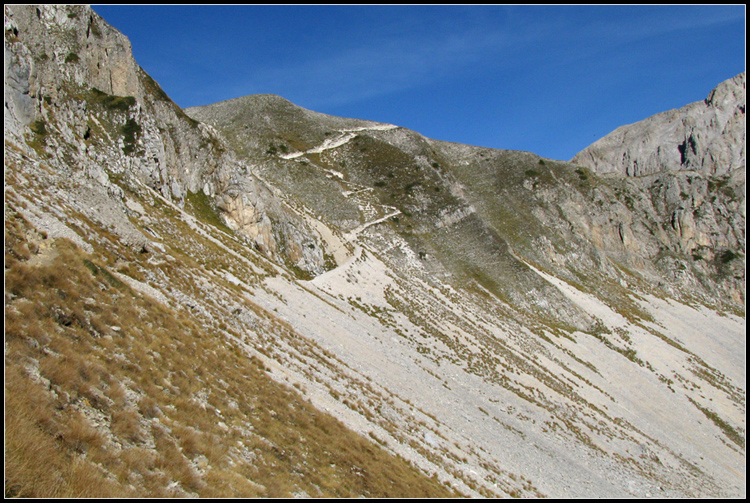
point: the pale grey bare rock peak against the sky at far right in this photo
(706, 136)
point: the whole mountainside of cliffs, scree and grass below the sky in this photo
(251, 298)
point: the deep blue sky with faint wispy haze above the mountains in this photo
(545, 79)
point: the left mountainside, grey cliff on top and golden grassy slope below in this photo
(121, 378)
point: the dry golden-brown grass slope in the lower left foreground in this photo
(166, 427)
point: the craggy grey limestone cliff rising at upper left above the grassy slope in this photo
(72, 77)
